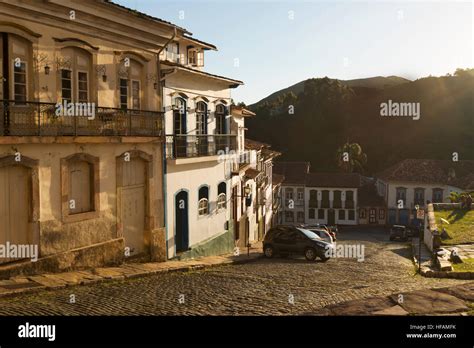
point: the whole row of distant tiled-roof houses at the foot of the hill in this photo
(388, 198)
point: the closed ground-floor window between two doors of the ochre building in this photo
(80, 187)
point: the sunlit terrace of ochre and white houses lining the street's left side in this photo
(115, 143)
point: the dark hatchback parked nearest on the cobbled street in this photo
(286, 240)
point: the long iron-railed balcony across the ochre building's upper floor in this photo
(40, 119)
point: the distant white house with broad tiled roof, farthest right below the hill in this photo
(414, 182)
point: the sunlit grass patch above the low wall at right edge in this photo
(460, 228)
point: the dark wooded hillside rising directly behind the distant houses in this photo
(328, 113)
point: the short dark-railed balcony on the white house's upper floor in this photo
(190, 146)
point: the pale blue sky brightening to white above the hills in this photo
(271, 45)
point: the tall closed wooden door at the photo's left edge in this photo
(14, 207)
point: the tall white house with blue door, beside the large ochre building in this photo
(200, 150)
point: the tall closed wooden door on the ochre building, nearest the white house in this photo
(133, 204)
